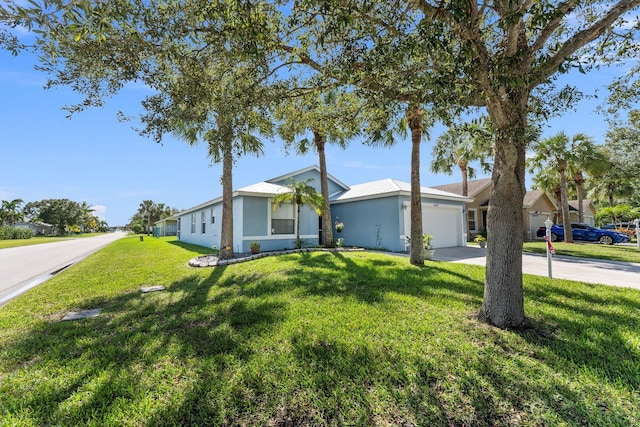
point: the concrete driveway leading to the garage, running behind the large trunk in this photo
(588, 270)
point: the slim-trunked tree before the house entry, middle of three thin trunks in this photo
(331, 118)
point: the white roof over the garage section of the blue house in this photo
(388, 187)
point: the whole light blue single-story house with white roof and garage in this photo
(375, 215)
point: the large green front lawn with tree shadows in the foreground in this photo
(310, 339)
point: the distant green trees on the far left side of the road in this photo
(66, 215)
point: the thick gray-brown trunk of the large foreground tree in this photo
(503, 302)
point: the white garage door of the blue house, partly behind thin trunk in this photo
(443, 222)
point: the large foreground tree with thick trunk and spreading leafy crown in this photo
(498, 56)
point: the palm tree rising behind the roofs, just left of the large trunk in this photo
(459, 146)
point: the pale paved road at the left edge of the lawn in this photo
(24, 267)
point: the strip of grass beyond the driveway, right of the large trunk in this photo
(588, 250)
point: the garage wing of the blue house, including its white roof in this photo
(378, 215)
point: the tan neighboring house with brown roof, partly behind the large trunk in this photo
(536, 207)
